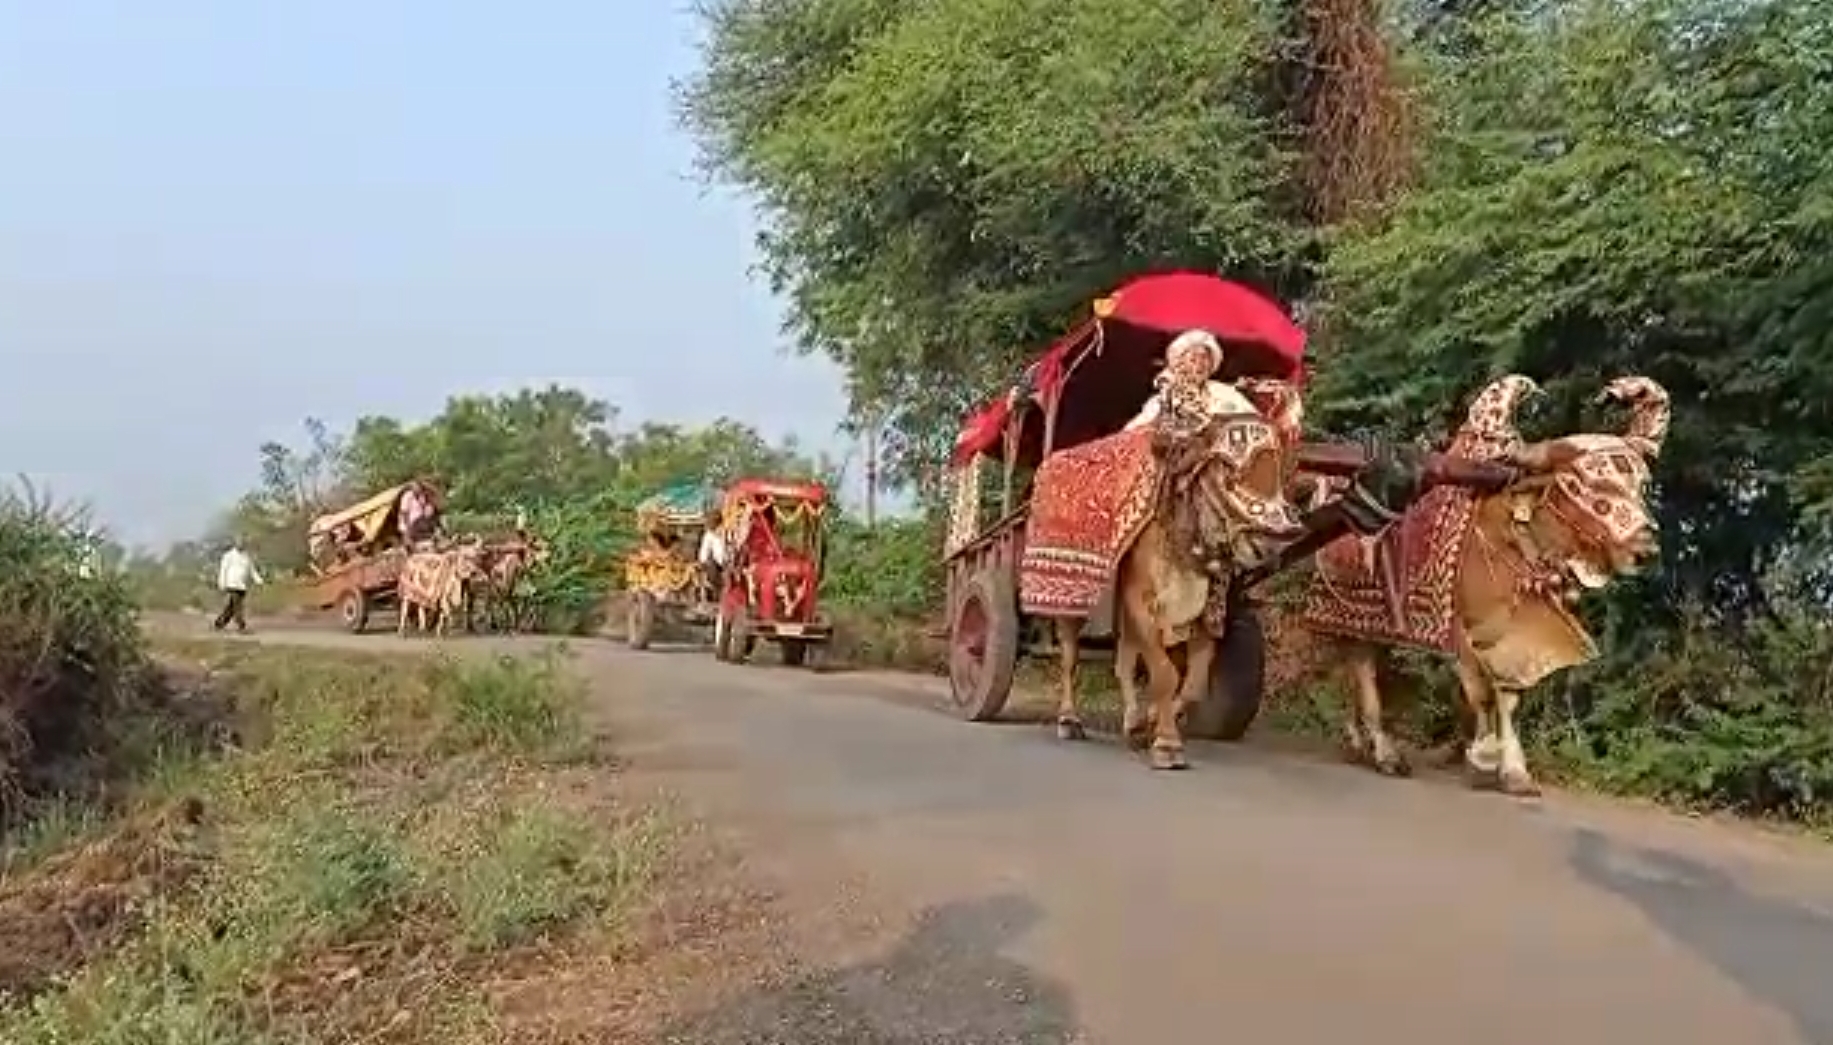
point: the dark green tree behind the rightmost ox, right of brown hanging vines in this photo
(1625, 192)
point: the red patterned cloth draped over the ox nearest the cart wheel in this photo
(1088, 507)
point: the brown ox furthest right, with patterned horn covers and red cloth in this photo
(1489, 578)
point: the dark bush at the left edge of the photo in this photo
(71, 648)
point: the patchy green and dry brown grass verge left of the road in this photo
(377, 841)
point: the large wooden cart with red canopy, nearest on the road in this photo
(1090, 386)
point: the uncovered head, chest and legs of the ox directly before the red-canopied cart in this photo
(1218, 505)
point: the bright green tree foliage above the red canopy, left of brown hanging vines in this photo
(947, 184)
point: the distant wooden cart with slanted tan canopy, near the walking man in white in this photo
(358, 553)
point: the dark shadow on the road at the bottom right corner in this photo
(1777, 951)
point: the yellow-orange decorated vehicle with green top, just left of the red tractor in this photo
(664, 577)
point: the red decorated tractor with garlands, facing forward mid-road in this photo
(776, 536)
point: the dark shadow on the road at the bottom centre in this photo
(945, 984)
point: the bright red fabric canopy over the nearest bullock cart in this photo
(1158, 309)
